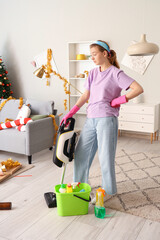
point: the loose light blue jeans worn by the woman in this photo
(101, 134)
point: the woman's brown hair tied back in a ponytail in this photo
(112, 57)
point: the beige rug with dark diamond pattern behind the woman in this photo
(138, 184)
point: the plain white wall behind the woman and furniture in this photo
(30, 26)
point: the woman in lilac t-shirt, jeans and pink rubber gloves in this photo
(103, 89)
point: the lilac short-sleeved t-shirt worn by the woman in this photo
(104, 87)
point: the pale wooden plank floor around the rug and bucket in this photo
(31, 219)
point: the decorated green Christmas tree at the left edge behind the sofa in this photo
(5, 85)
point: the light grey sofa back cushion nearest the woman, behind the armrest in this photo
(40, 107)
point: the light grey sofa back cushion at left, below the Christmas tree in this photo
(10, 109)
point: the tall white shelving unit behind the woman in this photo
(76, 67)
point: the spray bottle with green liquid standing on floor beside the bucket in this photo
(99, 208)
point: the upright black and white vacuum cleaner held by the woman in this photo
(63, 154)
